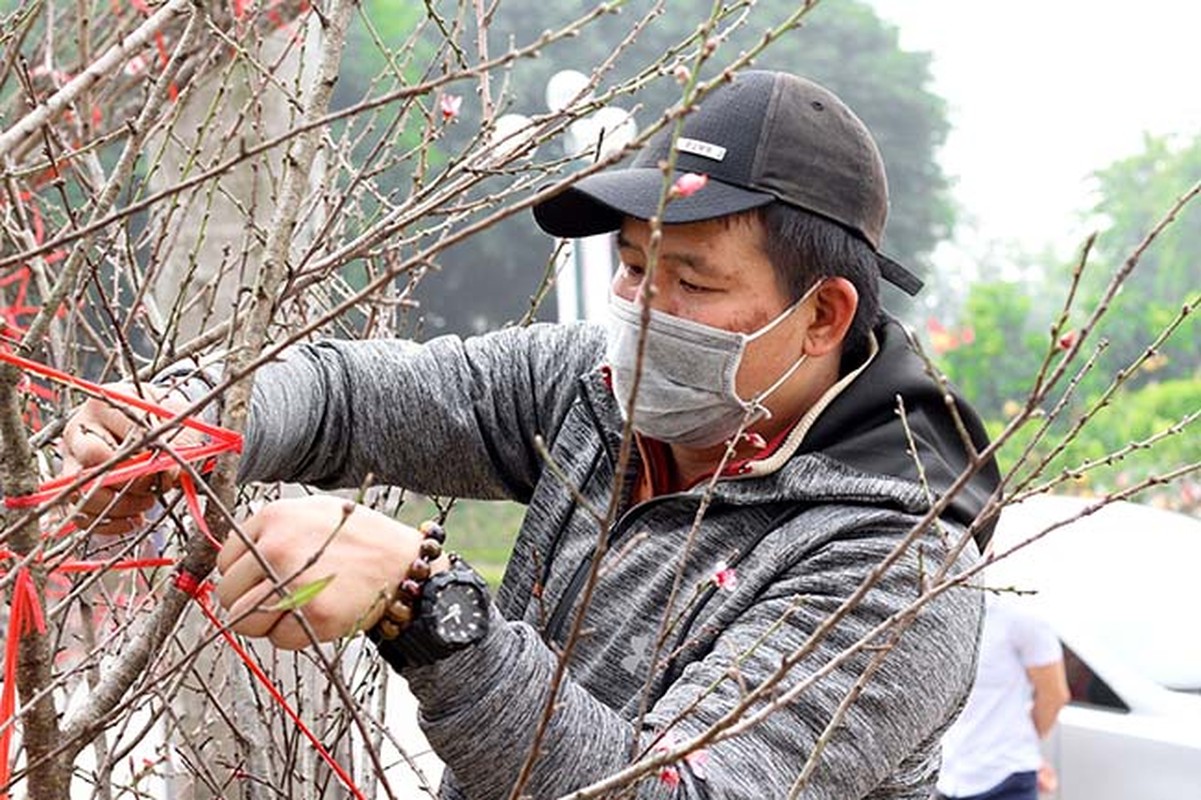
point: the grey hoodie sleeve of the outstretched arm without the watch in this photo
(333, 413)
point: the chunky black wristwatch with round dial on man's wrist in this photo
(451, 616)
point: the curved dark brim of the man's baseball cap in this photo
(600, 202)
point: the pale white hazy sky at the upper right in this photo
(1044, 92)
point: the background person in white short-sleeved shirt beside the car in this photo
(991, 753)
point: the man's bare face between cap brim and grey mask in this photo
(716, 273)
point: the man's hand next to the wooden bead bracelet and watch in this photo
(363, 553)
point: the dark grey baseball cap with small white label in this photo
(763, 138)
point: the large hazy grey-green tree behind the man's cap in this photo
(487, 282)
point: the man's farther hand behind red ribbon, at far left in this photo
(93, 435)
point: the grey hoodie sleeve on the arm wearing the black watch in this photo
(480, 708)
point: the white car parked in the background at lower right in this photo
(1122, 587)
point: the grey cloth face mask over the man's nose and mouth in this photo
(688, 391)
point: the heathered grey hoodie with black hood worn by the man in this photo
(805, 526)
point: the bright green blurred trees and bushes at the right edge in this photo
(994, 351)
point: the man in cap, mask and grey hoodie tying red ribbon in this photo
(764, 332)
